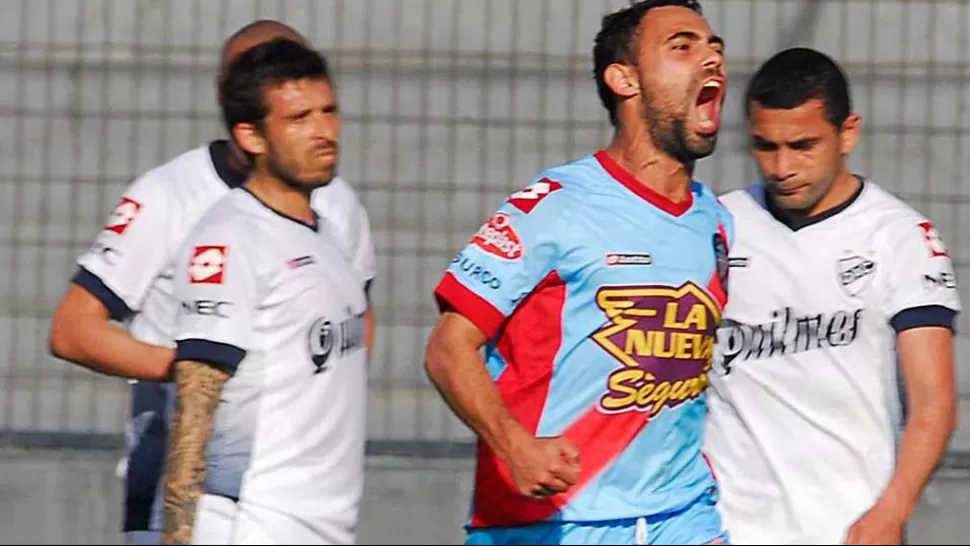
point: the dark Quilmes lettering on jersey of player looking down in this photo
(786, 333)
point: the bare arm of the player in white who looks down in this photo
(928, 371)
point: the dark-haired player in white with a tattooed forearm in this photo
(267, 438)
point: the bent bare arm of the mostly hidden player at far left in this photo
(81, 332)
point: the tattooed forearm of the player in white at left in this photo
(198, 389)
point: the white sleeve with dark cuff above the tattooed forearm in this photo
(216, 288)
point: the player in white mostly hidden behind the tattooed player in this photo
(126, 276)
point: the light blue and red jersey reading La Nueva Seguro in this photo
(601, 299)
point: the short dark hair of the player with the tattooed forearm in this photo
(242, 91)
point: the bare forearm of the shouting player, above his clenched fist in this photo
(455, 366)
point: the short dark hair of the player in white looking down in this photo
(797, 75)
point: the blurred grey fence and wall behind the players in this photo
(447, 106)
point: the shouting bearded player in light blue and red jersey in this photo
(596, 292)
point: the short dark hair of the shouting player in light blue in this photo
(616, 42)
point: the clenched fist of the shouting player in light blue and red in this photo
(542, 467)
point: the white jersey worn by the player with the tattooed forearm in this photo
(271, 300)
